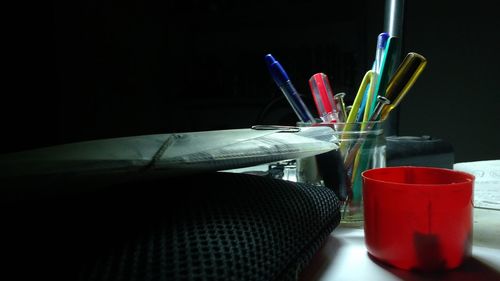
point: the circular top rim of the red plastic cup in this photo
(466, 177)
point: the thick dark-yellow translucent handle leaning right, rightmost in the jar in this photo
(404, 78)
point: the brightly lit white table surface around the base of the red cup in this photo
(344, 257)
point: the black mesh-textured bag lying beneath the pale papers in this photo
(213, 226)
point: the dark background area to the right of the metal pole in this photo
(457, 98)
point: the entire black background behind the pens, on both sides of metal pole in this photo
(83, 70)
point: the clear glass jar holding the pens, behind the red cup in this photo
(362, 146)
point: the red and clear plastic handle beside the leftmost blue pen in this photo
(323, 97)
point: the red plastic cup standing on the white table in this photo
(418, 218)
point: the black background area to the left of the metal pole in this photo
(99, 69)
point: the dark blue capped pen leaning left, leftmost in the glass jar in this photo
(281, 78)
